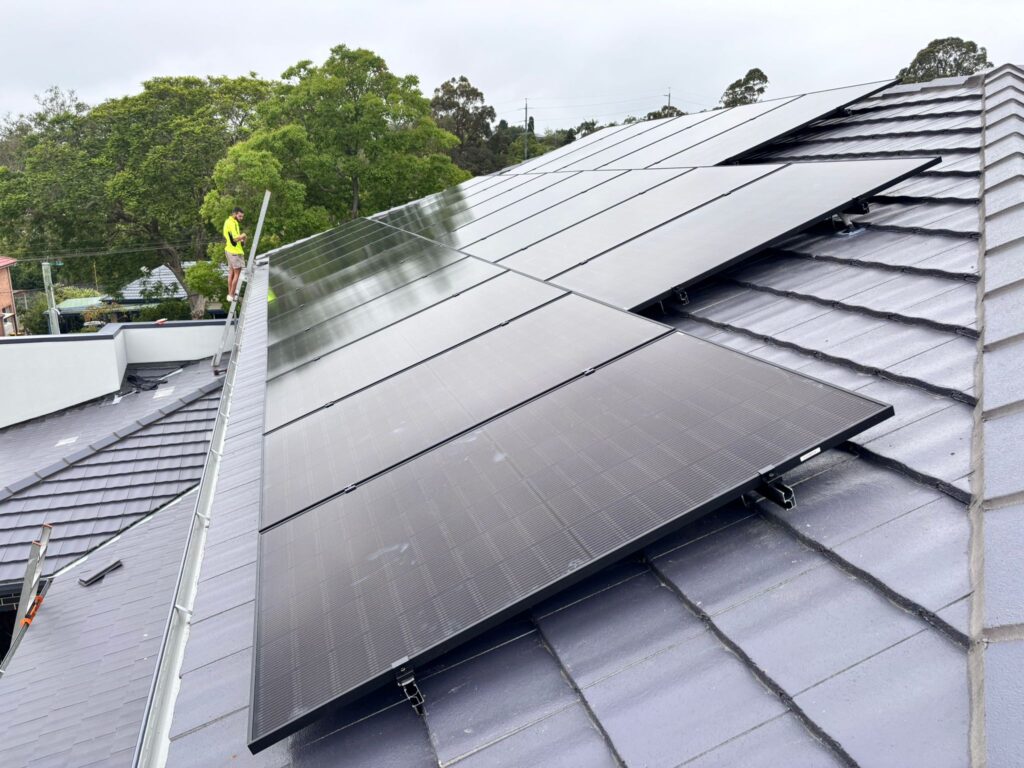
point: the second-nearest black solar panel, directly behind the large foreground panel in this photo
(334, 448)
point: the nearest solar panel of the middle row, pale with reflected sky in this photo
(718, 235)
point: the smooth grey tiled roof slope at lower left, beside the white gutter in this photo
(74, 692)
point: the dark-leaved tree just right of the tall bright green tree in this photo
(459, 108)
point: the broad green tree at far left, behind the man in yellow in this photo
(126, 178)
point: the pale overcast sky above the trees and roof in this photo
(573, 60)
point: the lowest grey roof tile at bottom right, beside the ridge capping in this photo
(906, 706)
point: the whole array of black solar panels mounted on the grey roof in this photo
(461, 418)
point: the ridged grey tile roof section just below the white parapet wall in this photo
(121, 458)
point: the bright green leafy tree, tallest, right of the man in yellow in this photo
(356, 138)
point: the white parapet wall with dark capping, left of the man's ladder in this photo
(46, 374)
